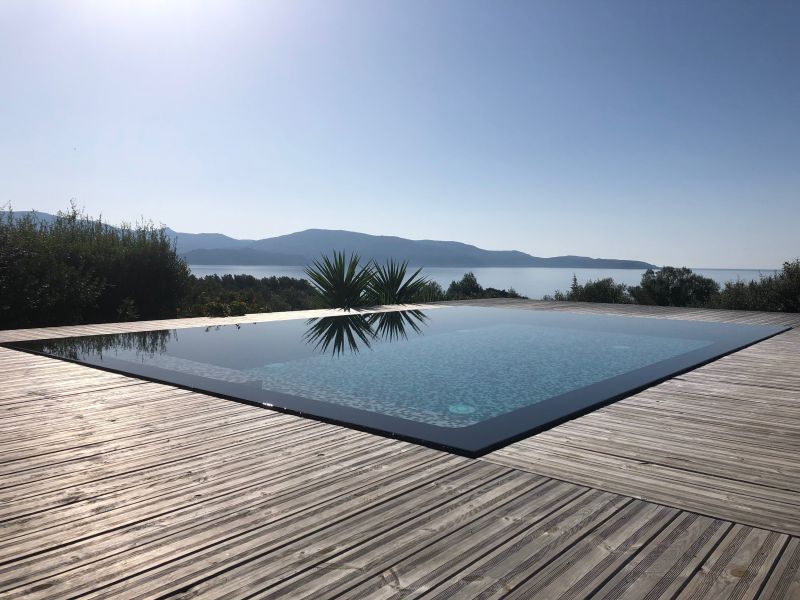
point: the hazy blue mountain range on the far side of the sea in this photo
(302, 247)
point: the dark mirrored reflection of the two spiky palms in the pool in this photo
(347, 332)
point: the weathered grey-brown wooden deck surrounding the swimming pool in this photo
(114, 487)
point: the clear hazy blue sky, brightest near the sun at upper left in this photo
(663, 131)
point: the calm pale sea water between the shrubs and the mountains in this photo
(533, 282)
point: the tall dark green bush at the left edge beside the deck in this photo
(80, 270)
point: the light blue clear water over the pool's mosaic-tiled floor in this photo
(461, 377)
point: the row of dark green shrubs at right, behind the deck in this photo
(673, 286)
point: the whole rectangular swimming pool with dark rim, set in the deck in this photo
(465, 379)
